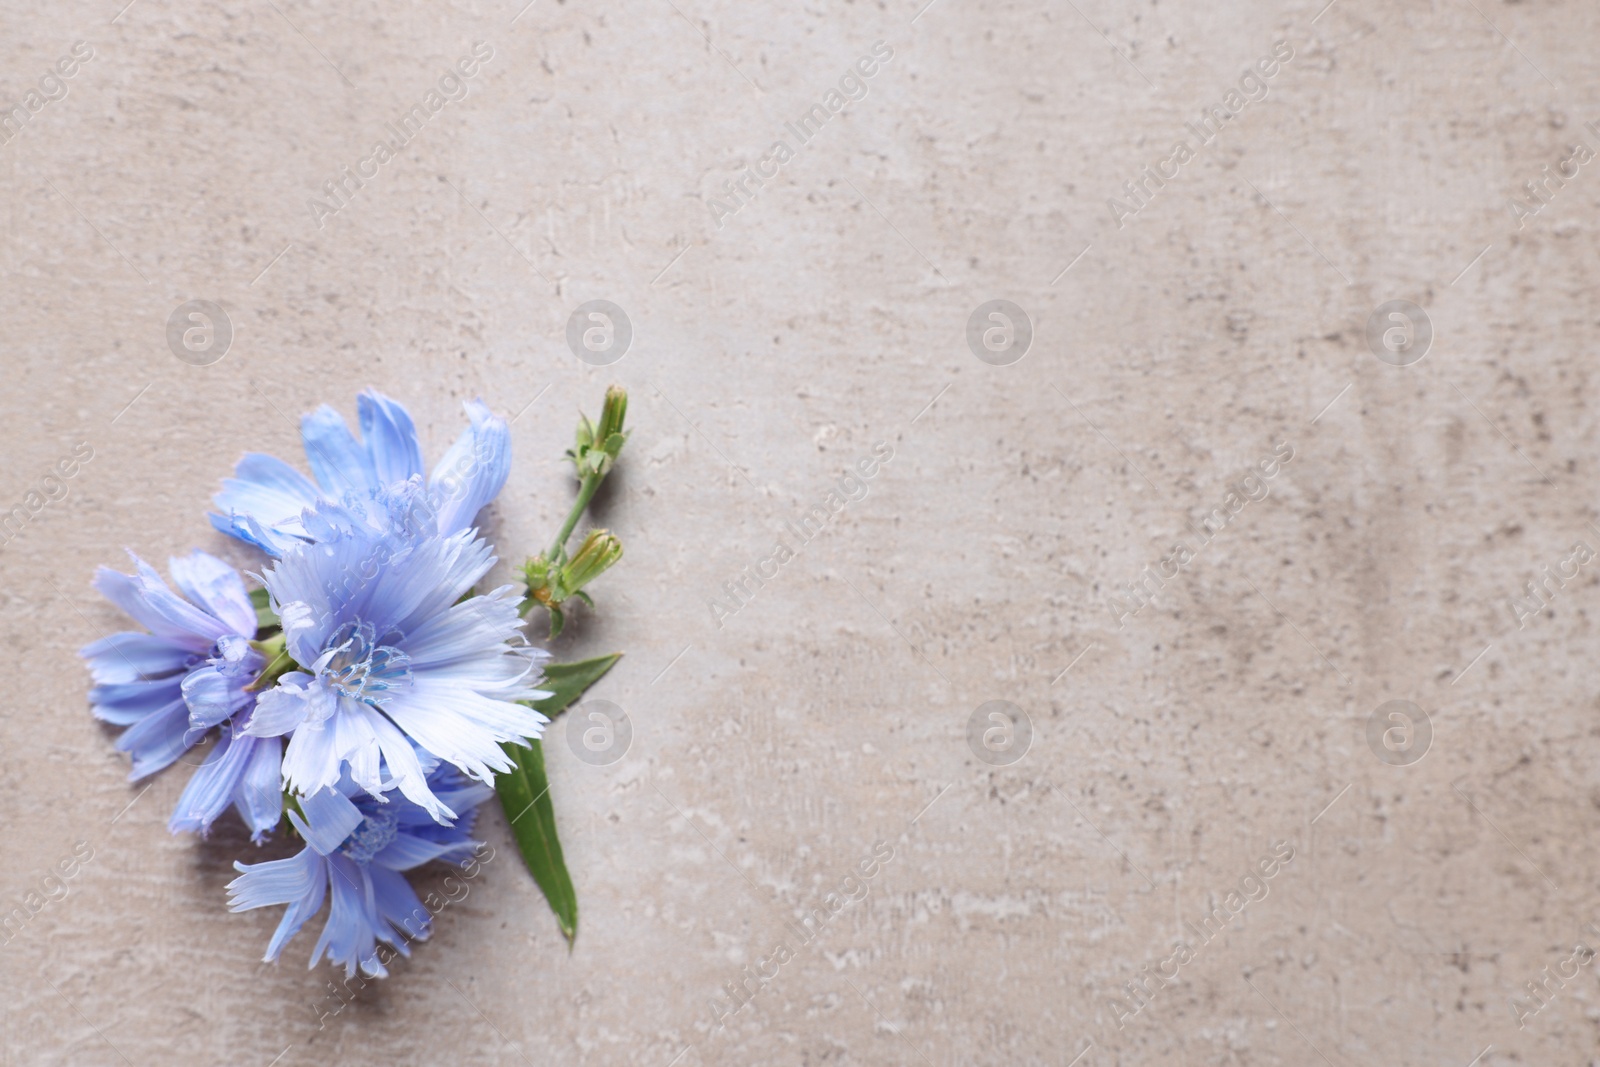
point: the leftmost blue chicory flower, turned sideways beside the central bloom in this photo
(191, 673)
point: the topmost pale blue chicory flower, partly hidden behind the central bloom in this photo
(265, 502)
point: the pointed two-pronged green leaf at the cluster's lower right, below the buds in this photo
(526, 793)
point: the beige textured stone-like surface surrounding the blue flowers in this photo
(830, 314)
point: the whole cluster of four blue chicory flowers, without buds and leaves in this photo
(364, 697)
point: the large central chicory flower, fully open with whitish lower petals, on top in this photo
(391, 655)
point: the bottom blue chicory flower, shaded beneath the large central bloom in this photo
(358, 845)
